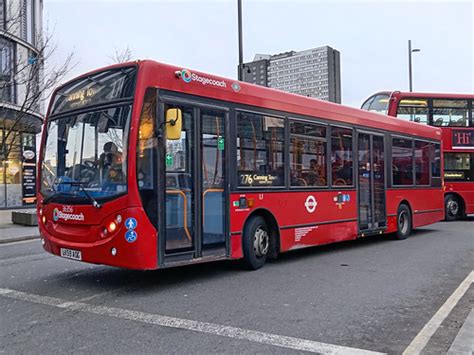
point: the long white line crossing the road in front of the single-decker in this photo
(196, 326)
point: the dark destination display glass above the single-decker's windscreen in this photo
(98, 88)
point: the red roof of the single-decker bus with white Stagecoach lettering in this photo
(168, 77)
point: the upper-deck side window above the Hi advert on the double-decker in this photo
(453, 113)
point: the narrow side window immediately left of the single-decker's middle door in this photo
(341, 156)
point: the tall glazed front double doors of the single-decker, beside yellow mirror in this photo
(194, 199)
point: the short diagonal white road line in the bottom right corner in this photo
(420, 341)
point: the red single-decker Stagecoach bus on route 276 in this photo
(145, 165)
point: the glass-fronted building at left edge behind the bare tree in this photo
(20, 114)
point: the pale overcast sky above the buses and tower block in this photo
(372, 37)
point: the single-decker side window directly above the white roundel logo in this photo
(308, 154)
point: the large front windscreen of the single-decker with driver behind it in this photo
(85, 155)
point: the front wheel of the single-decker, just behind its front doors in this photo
(255, 243)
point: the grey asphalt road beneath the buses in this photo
(374, 294)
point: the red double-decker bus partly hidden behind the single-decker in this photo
(453, 113)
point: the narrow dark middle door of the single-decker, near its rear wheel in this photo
(371, 179)
